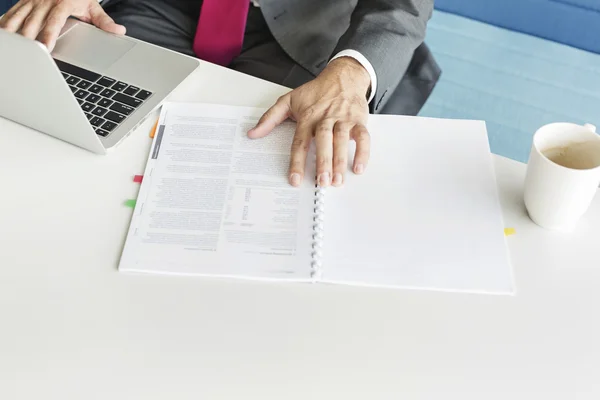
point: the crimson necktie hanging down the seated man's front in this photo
(220, 31)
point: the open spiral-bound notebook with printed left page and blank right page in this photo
(425, 214)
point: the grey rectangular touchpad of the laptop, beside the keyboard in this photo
(91, 47)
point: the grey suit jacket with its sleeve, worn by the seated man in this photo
(389, 33)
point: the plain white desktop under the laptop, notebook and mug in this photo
(73, 327)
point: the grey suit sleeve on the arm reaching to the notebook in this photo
(387, 32)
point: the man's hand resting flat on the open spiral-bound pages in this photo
(332, 108)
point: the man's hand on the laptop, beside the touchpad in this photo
(44, 19)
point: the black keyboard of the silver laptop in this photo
(105, 101)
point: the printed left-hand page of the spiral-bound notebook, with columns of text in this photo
(213, 202)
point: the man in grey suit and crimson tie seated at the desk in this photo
(343, 58)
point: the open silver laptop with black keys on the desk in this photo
(92, 90)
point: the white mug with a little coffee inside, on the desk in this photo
(563, 174)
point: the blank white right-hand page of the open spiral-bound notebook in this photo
(425, 214)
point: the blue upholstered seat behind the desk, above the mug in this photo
(516, 64)
